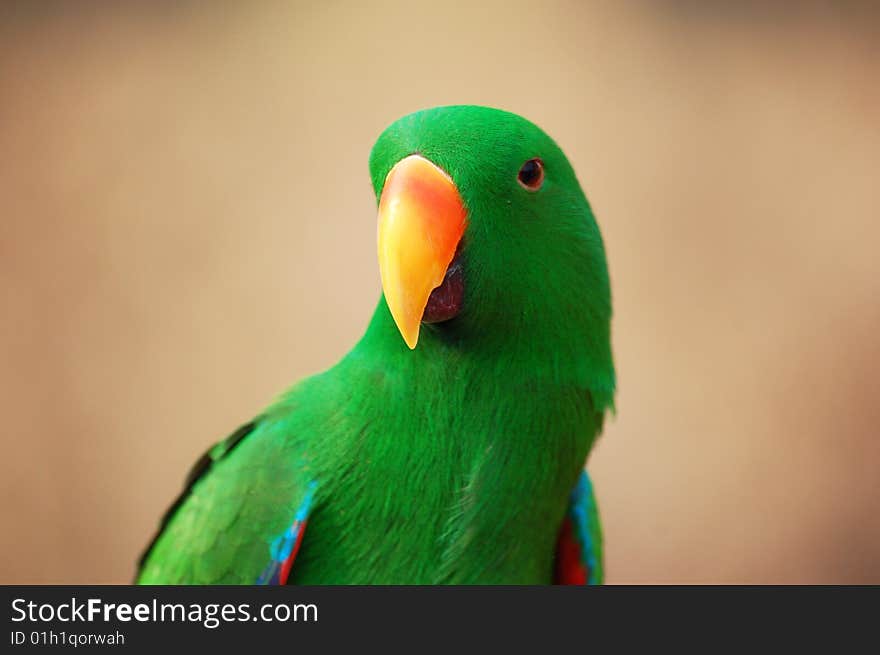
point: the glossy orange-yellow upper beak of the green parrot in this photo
(421, 220)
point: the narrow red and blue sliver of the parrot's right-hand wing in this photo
(579, 552)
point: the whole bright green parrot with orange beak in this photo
(448, 446)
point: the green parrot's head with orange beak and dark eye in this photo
(484, 235)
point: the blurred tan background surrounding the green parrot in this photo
(187, 227)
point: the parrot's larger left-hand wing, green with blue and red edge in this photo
(240, 518)
